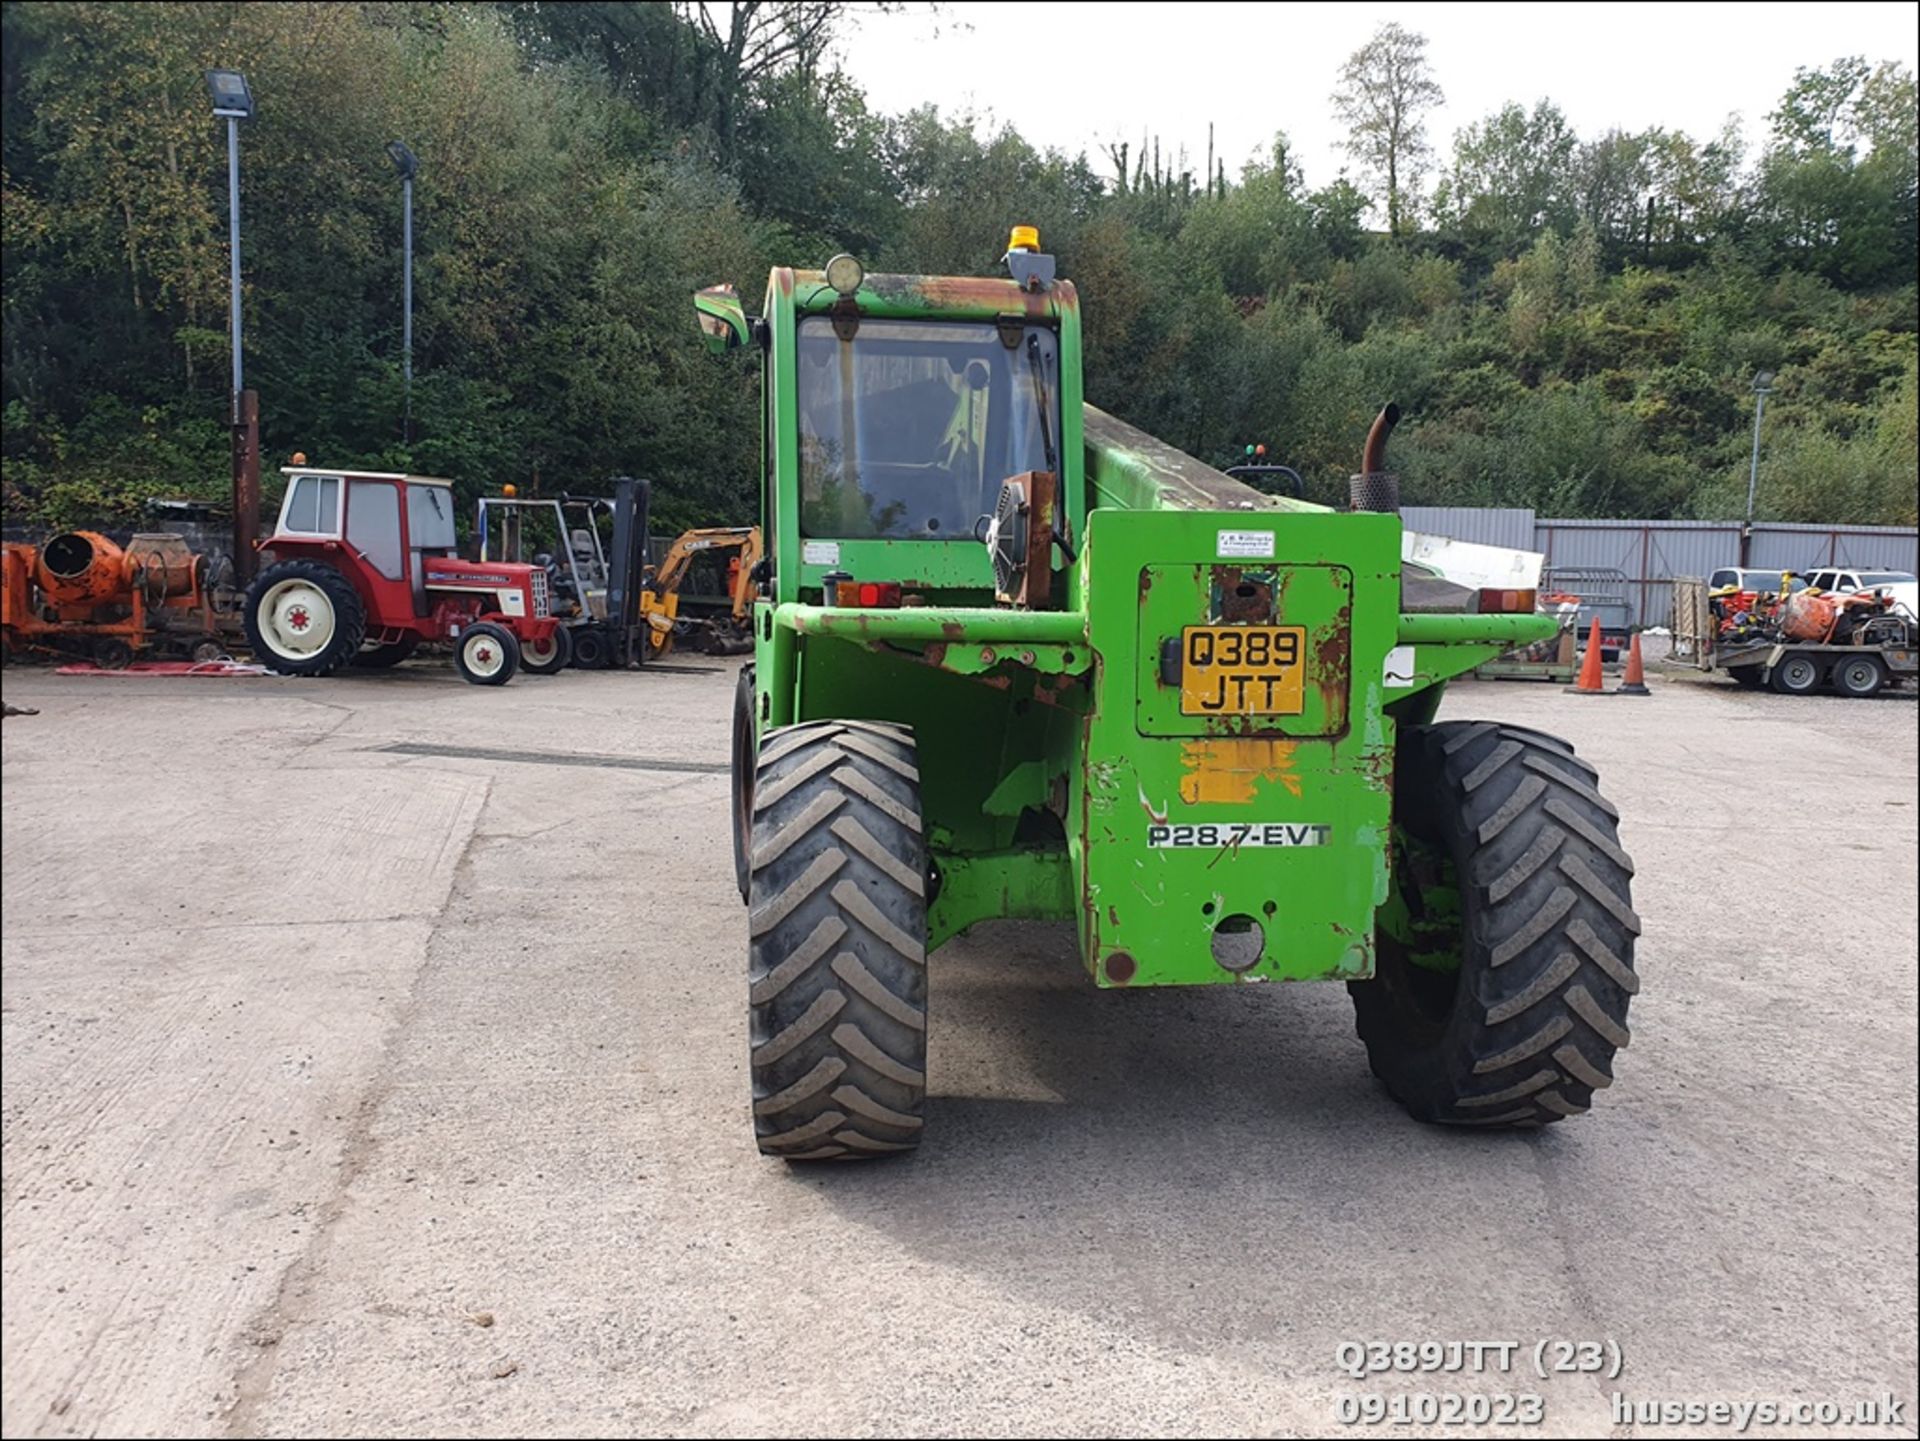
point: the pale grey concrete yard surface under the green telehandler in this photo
(358, 1089)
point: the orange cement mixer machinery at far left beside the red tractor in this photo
(82, 594)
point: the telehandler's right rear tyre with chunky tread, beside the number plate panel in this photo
(1506, 951)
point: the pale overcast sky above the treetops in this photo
(1078, 76)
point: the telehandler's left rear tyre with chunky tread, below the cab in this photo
(838, 914)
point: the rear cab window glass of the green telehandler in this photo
(909, 429)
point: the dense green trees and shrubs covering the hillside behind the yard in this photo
(1554, 339)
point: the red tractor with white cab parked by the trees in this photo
(366, 569)
